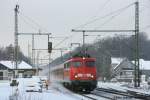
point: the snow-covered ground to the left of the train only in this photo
(55, 92)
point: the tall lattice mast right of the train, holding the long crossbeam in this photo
(137, 63)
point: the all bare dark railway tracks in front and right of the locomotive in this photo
(112, 94)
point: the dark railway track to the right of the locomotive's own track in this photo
(112, 94)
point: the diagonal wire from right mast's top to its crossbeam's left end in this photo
(105, 16)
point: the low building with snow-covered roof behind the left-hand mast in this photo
(7, 70)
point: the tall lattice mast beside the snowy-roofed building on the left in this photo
(16, 40)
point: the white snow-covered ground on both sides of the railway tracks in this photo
(57, 91)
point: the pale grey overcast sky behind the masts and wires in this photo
(60, 16)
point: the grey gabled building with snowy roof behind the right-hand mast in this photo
(124, 70)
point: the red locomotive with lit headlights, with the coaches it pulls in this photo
(79, 73)
